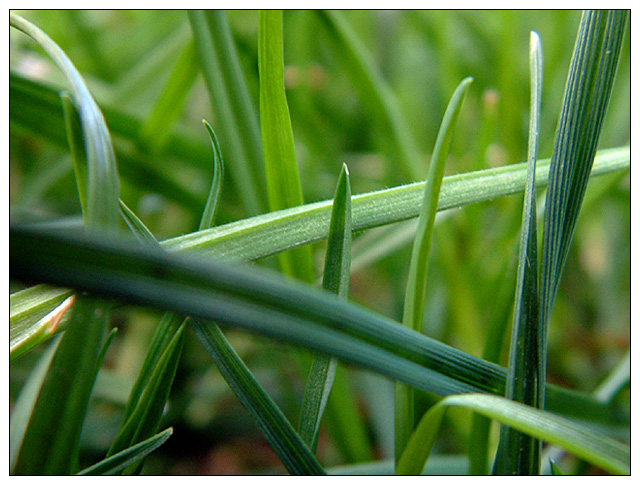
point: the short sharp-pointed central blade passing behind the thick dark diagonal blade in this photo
(336, 280)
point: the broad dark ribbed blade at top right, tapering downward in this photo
(587, 93)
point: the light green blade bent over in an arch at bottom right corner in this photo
(604, 452)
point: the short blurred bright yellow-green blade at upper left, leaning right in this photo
(154, 133)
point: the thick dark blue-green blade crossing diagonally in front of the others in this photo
(266, 304)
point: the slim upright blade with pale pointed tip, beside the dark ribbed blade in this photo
(519, 453)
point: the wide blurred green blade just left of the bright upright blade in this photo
(222, 90)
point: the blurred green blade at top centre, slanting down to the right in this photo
(375, 93)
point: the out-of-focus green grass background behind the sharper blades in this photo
(127, 57)
